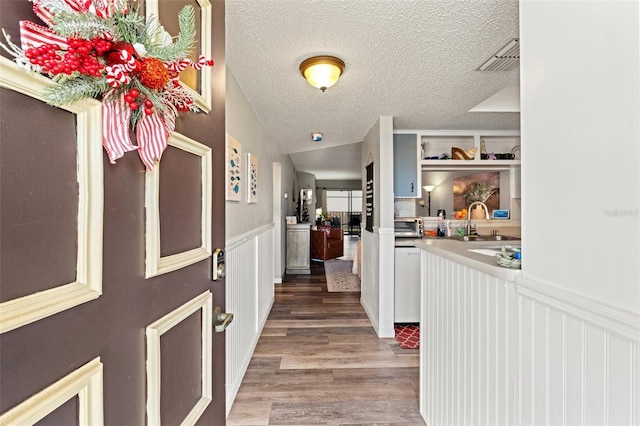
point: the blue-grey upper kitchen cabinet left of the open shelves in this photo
(406, 165)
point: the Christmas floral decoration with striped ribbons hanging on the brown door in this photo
(103, 49)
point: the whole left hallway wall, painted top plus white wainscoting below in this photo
(251, 261)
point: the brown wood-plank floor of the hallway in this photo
(319, 362)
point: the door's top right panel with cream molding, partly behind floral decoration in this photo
(196, 81)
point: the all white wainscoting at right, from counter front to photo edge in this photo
(502, 352)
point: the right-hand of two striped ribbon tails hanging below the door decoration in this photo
(152, 132)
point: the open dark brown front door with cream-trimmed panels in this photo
(90, 332)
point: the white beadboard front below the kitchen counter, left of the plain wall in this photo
(464, 340)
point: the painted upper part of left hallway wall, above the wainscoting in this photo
(244, 126)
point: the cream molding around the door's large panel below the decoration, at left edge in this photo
(88, 281)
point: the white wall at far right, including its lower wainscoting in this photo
(578, 297)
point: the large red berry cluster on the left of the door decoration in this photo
(81, 55)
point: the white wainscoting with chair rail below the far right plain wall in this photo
(578, 359)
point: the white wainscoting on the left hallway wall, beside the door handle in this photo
(249, 296)
